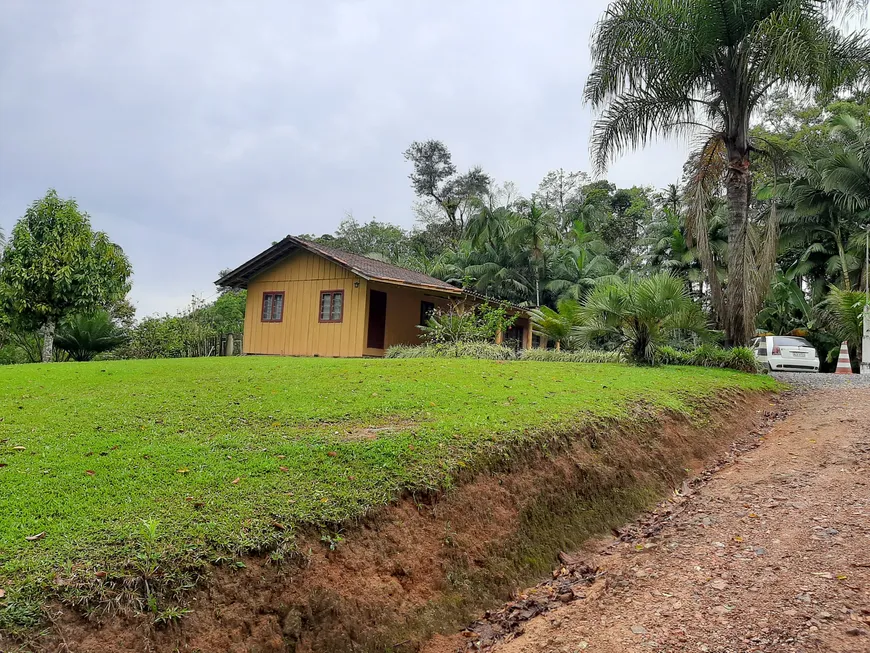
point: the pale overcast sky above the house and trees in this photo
(196, 132)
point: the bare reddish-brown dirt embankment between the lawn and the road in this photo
(430, 564)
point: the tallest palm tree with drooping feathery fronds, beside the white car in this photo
(668, 67)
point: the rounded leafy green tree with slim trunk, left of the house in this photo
(56, 266)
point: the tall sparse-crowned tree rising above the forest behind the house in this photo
(435, 179)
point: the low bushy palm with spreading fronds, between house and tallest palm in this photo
(640, 315)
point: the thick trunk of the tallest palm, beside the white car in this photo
(738, 321)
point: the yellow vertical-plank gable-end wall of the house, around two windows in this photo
(302, 277)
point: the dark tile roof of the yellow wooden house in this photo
(364, 266)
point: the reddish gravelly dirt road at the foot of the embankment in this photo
(770, 553)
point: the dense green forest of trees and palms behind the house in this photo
(573, 232)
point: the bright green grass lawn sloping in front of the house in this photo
(222, 456)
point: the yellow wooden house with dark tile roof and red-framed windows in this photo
(306, 299)
